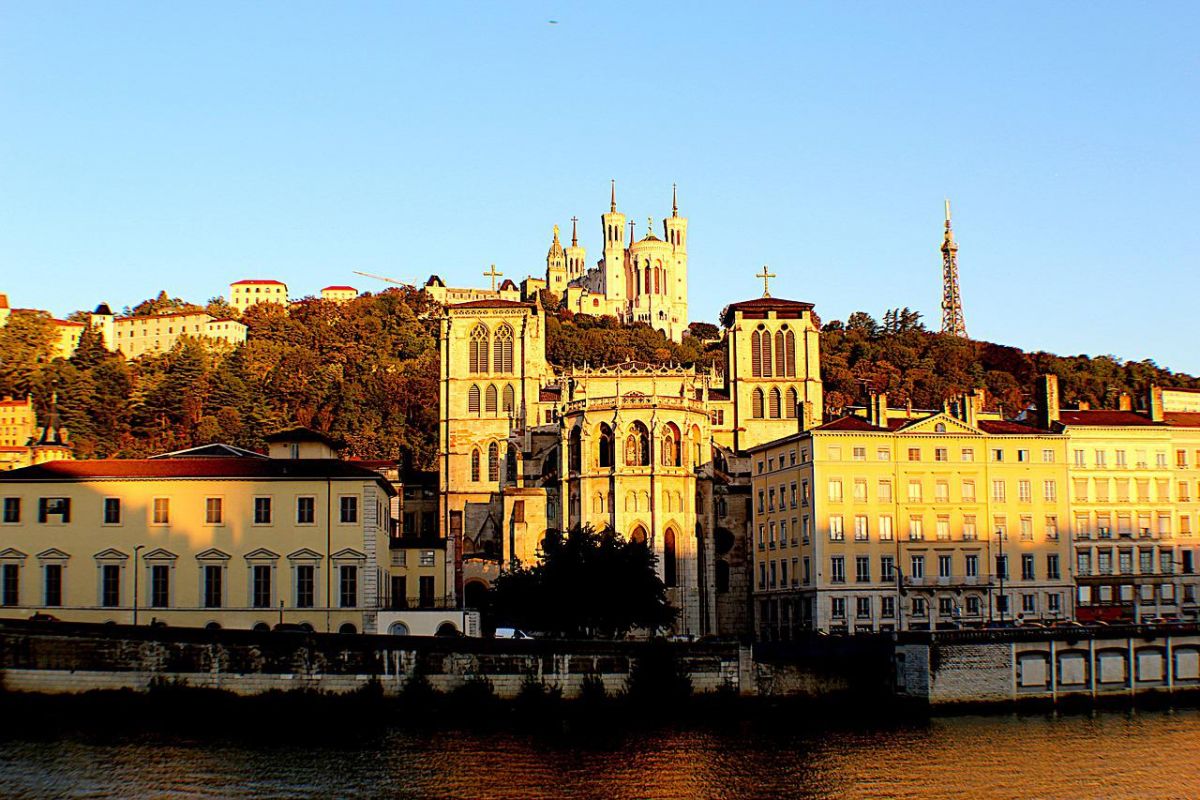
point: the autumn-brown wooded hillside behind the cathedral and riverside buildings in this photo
(367, 372)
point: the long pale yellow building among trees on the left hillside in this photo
(136, 336)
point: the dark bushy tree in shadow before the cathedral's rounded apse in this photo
(589, 584)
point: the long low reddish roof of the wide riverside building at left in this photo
(232, 468)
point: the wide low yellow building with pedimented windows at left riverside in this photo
(213, 537)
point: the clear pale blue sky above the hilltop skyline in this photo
(179, 147)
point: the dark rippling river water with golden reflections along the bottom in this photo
(1107, 755)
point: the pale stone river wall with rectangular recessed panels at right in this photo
(989, 667)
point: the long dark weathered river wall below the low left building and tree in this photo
(61, 658)
